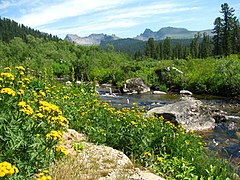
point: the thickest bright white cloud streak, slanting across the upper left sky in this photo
(68, 8)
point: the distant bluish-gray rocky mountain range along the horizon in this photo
(172, 32)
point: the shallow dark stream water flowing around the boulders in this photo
(225, 137)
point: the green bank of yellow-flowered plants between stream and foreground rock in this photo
(34, 113)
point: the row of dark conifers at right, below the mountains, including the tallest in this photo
(225, 41)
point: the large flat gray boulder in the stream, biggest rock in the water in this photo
(192, 114)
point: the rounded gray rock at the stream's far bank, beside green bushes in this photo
(135, 85)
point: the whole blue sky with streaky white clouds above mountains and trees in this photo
(124, 18)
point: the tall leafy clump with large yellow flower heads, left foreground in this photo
(31, 127)
